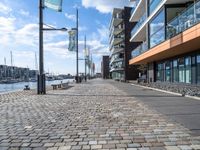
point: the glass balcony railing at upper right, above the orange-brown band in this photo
(188, 18)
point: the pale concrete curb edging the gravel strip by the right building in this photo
(173, 93)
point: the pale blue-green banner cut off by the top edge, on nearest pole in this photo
(53, 4)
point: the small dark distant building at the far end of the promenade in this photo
(105, 67)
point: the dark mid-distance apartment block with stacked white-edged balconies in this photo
(120, 46)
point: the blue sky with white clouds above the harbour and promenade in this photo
(19, 33)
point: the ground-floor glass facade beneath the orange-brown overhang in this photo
(180, 70)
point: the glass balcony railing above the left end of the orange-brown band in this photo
(139, 50)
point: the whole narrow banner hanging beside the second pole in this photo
(72, 41)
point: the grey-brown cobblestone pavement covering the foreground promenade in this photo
(95, 115)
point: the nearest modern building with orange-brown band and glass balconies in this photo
(168, 32)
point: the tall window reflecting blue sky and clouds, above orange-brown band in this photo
(157, 29)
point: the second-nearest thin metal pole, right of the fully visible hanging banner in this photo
(77, 74)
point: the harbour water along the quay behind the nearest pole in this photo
(33, 85)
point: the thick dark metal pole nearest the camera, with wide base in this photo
(41, 76)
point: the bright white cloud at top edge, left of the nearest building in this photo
(105, 6)
